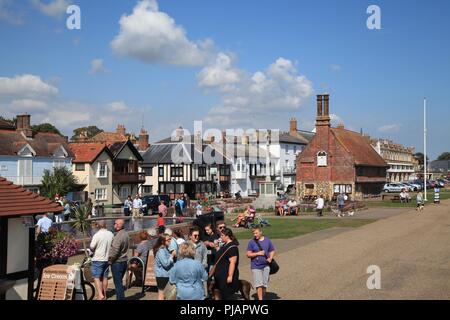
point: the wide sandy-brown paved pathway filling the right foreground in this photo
(411, 249)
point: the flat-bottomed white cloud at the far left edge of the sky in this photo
(26, 85)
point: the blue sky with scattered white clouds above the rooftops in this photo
(229, 63)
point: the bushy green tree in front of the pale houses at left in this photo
(60, 181)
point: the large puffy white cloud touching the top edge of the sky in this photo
(154, 37)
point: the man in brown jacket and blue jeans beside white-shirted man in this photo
(118, 257)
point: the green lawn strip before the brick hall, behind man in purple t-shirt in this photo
(289, 228)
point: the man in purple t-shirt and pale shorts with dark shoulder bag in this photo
(261, 252)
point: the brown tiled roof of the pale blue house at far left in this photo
(43, 143)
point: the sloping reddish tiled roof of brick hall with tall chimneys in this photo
(359, 147)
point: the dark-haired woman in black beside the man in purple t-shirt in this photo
(226, 268)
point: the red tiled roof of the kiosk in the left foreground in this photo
(16, 201)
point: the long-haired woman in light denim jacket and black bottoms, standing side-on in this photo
(163, 263)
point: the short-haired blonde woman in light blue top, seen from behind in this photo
(188, 274)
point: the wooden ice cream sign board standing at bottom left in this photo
(57, 283)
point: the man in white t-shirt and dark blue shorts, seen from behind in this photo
(101, 245)
